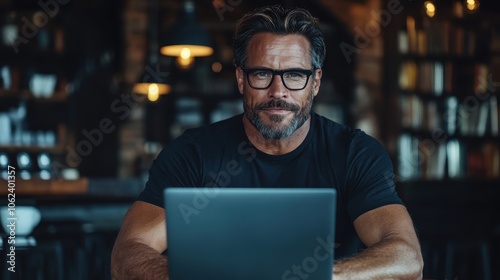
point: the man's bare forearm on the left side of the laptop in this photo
(134, 260)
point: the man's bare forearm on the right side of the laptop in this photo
(389, 259)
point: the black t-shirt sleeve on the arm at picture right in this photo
(370, 176)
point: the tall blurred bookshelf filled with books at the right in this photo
(442, 80)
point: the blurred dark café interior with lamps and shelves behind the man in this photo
(90, 91)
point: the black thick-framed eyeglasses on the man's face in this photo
(262, 78)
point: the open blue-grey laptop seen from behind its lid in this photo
(250, 233)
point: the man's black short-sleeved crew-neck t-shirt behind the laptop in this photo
(331, 156)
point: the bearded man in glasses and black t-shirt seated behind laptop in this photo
(278, 56)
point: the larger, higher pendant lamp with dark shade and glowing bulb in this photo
(187, 38)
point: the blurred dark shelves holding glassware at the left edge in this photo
(34, 101)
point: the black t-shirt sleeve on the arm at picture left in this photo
(177, 165)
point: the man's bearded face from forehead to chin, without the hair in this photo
(277, 111)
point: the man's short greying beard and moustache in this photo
(276, 130)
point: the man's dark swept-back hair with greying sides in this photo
(276, 19)
